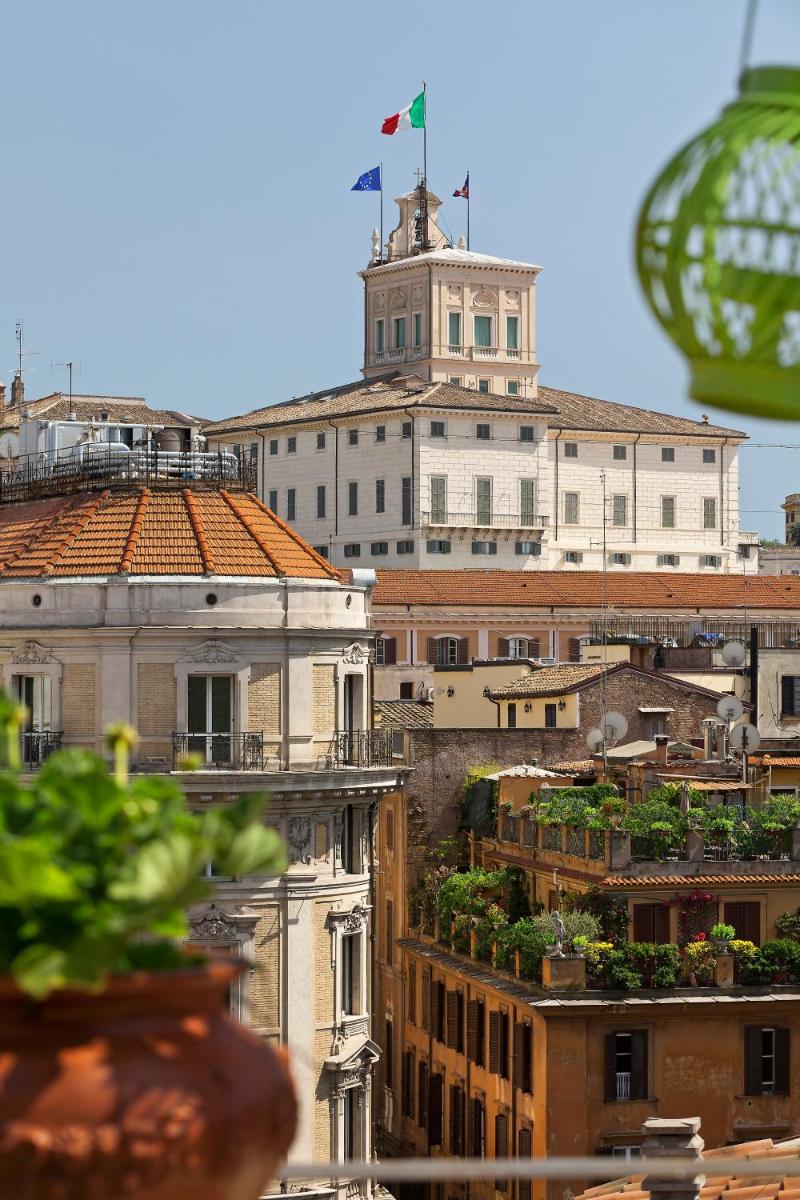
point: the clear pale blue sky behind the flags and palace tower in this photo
(178, 215)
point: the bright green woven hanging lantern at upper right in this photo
(718, 250)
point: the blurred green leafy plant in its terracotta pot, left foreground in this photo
(121, 1073)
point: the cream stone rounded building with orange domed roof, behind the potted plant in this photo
(281, 657)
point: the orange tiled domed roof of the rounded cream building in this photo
(153, 532)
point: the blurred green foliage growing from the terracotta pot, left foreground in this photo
(98, 871)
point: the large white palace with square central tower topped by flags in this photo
(449, 454)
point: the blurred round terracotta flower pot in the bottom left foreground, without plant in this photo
(147, 1091)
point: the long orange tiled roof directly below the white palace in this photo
(573, 590)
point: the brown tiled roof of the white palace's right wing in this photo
(578, 412)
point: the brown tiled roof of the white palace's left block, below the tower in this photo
(390, 393)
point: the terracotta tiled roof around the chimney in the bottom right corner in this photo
(724, 1187)
